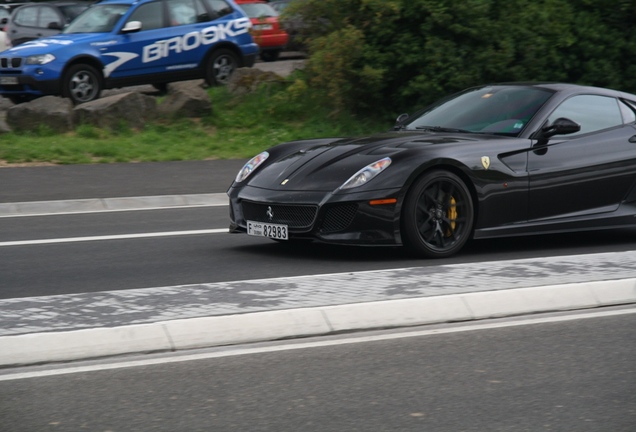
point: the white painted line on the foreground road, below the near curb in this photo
(230, 352)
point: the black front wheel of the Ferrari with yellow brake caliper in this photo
(438, 215)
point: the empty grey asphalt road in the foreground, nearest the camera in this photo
(554, 376)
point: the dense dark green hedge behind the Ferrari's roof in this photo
(394, 55)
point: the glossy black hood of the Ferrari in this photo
(326, 166)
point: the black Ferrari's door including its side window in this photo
(590, 171)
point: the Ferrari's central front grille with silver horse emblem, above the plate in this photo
(294, 216)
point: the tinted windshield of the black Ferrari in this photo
(494, 109)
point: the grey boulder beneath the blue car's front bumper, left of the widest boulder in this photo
(51, 111)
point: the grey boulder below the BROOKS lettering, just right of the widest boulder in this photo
(186, 99)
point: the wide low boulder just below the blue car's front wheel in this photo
(133, 109)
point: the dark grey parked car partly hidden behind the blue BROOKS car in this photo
(35, 20)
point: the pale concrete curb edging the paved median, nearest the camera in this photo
(272, 325)
